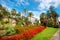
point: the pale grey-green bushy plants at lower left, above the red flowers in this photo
(8, 30)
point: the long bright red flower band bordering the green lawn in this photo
(25, 35)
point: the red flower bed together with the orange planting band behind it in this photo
(24, 33)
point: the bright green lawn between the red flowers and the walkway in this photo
(46, 34)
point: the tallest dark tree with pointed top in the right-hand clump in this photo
(52, 15)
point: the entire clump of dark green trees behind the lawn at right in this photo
(51, 17)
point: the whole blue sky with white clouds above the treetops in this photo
(35, 6)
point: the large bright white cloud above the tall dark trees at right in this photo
(45, 4)
